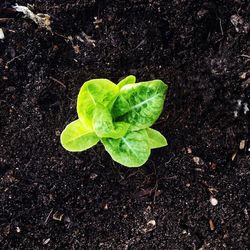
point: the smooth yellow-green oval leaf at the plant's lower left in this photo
(76, 138)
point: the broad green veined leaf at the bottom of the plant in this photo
(132, 150)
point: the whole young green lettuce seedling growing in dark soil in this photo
(120, 117)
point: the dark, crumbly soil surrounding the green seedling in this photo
(53, 199)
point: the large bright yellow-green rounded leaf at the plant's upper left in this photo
(93, 92)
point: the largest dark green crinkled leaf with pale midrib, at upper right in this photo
(140, 104)
